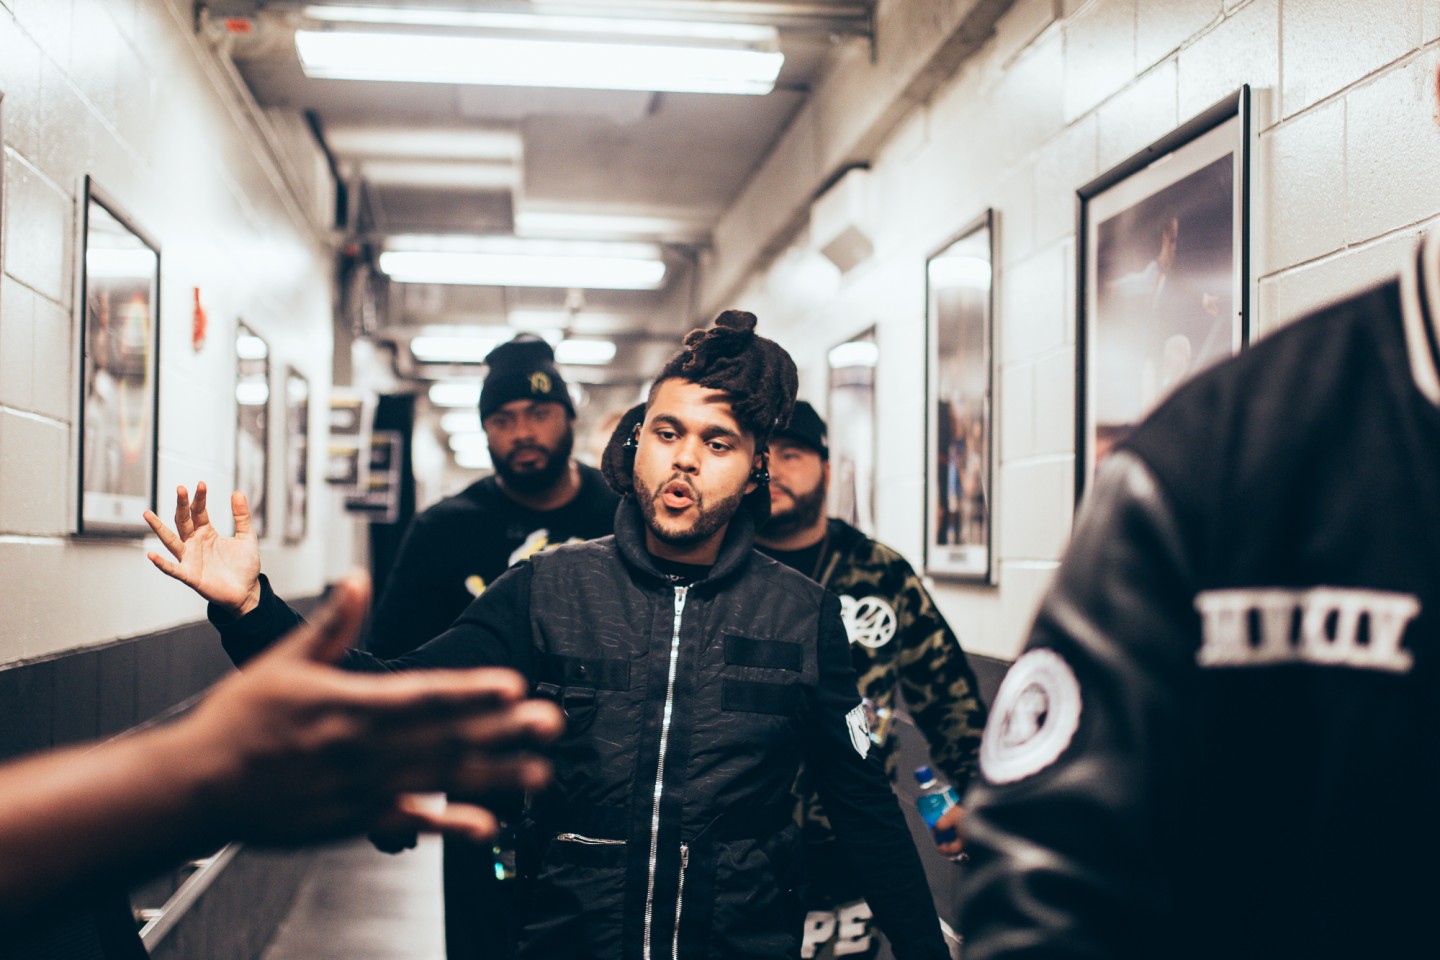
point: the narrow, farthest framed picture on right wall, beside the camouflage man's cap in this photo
(852, 420)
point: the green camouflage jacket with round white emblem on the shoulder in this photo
(901, 644)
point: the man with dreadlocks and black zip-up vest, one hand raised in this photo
(695, 674)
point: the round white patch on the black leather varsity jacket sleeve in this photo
(1038, 713)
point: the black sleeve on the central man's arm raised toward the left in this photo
(495, 631)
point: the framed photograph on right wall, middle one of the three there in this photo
(960, 422)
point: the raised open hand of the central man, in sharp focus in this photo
(225, 571)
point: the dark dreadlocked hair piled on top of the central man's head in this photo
(757, 373)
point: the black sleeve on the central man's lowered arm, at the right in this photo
(862, 807)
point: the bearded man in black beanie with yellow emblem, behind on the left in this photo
(538, 497)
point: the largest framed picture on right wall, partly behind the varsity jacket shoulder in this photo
(1164, 274)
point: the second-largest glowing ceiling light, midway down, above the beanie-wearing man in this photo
(509, 263)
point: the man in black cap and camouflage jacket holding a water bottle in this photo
(898, 641)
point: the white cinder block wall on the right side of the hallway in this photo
(1346, 178)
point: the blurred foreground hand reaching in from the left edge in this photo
(307, 752)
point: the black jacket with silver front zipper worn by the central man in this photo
(690, 709)
